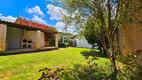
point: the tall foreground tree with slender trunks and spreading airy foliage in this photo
(108, 16)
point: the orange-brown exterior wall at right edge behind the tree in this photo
(130, 36)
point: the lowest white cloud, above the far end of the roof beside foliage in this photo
(61, 25)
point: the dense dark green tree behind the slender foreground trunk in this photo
(91, 35)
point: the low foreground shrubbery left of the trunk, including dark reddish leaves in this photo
(87, 71)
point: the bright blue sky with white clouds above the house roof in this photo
(41, 11)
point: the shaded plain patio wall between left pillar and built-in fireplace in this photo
(14, 36)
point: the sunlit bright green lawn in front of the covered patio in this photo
(26, 66)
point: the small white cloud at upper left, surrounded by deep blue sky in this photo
(35, 10)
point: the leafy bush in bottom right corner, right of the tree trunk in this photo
(129, 69)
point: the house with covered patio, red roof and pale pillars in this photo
(25, 34)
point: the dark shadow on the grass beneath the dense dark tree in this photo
(94, 54)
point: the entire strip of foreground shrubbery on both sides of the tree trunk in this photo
(91, 71)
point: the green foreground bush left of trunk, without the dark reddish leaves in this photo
(88, 71)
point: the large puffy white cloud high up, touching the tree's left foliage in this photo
(55, 12)
